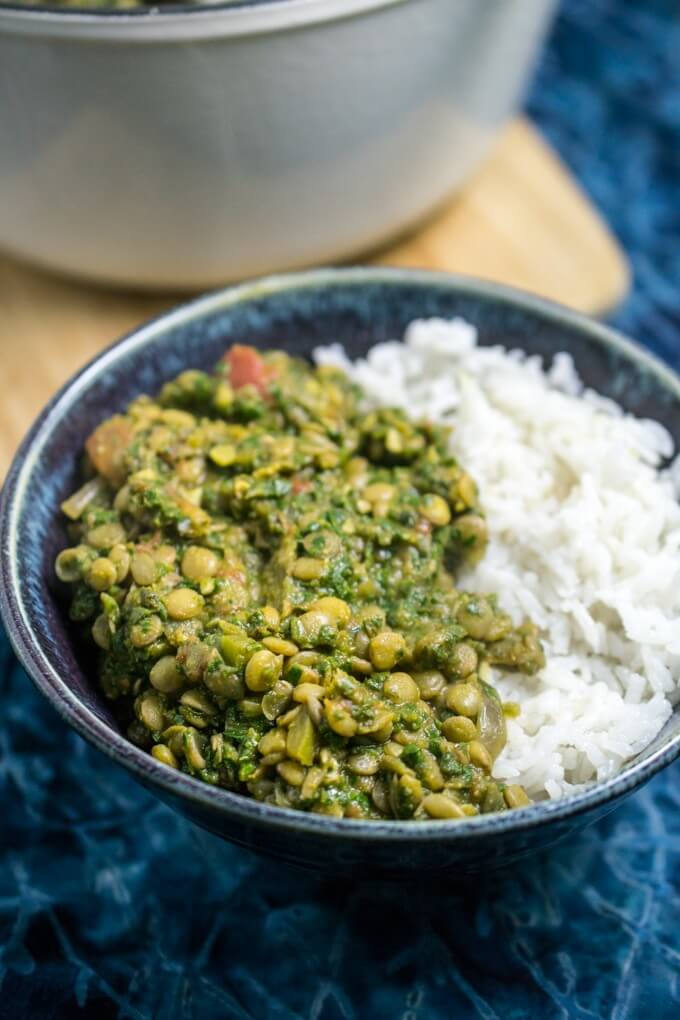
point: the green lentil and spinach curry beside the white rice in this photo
(269, 574)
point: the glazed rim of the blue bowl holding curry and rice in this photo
(200, 795)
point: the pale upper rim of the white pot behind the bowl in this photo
(180, 21)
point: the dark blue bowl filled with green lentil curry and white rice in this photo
(276, 601)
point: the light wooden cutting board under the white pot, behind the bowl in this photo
(522, 221)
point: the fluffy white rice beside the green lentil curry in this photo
(585, 539)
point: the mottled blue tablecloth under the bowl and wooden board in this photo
(106, 906)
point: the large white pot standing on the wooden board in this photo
(191, 148)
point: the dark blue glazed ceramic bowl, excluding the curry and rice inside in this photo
(358, 308)
